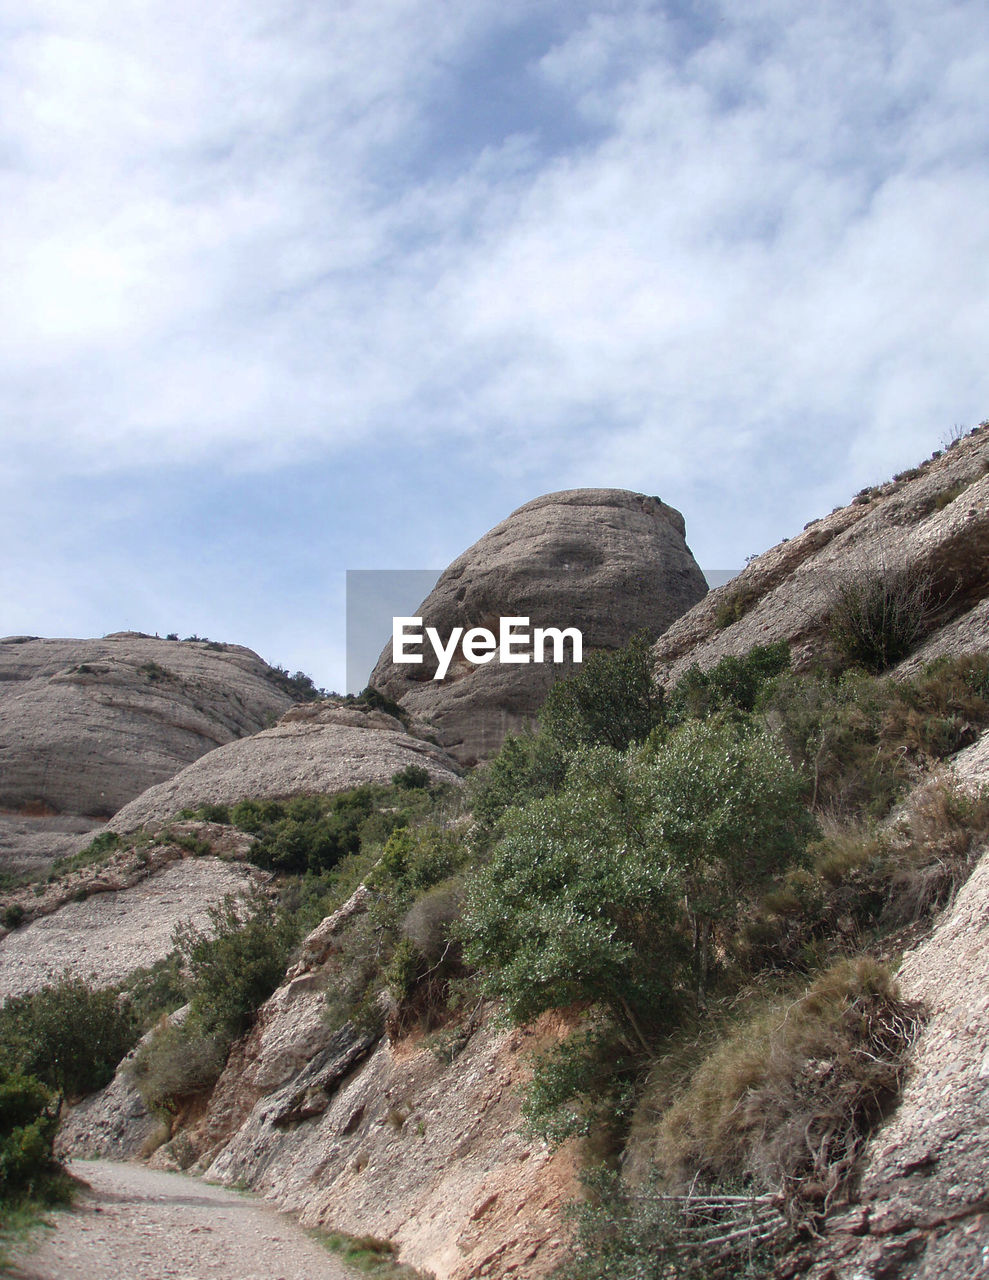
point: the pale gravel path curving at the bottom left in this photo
(139, 1224)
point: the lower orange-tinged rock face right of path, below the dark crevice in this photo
(419, 1151)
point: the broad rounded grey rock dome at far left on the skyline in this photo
(89, 725)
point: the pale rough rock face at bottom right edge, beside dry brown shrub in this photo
(924, 1195)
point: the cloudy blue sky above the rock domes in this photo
(290, 289)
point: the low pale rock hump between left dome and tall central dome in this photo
(318, 748)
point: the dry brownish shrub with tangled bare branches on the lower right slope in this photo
(787, 1103)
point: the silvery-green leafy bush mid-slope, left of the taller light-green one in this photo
(579, 902)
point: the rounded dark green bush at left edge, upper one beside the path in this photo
(68, 1035)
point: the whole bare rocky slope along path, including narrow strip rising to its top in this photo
(367, 1136)
